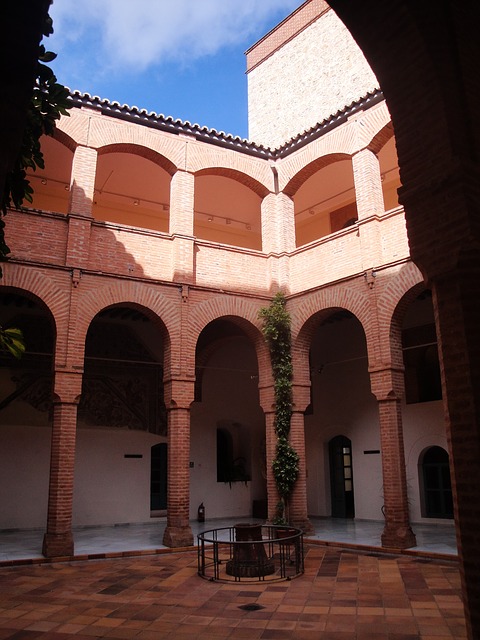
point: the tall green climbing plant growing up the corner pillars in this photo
(277, 333)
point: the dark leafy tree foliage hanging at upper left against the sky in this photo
(48, 103)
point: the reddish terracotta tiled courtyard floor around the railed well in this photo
(343, 595)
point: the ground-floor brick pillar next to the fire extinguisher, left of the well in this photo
(178, 397)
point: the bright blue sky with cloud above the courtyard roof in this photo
(184, 59)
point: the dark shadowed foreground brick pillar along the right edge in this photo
(444, 234)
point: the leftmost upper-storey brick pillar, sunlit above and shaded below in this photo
(80, 207)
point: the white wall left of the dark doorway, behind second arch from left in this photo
(109, 488)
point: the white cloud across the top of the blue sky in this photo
(136, 34)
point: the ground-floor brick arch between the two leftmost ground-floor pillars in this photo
(155, 306)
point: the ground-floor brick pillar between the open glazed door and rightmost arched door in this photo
(387, 385)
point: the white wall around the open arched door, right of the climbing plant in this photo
(343, 405)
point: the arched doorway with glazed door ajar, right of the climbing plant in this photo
(341, 477)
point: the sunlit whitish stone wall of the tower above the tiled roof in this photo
(310, 78)
